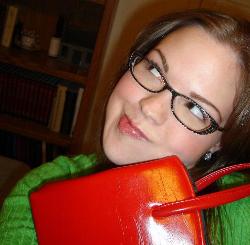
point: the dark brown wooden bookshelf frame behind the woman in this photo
(39, 61)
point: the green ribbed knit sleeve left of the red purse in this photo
(16, 224)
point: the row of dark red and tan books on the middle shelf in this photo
(39, 97)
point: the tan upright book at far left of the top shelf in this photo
(9, 26)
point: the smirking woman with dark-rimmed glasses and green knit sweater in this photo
(185, 92)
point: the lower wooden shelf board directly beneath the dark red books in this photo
(33, 130)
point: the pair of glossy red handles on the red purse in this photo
(209, 200)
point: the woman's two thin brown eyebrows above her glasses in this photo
(192, 94)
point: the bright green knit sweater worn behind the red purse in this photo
(16, 224)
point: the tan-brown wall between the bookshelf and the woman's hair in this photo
(131, 16)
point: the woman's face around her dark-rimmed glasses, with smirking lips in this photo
(140, 125)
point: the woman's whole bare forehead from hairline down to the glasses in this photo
(198, 62)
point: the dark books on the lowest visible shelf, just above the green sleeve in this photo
(32, 152)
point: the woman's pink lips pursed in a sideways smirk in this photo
(126, 127)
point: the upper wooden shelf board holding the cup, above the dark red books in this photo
(40, 61)
